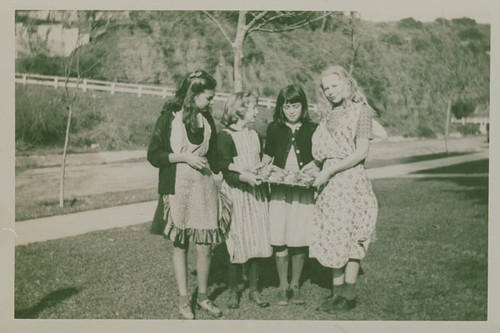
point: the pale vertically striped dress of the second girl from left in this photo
(249, 235)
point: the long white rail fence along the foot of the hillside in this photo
(117, 87)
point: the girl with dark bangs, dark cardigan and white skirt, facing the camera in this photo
(288, 145)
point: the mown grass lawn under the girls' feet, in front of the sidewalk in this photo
(429, 263)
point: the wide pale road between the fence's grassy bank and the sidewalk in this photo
(97, 173)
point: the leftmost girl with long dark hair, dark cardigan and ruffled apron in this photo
(183, 147)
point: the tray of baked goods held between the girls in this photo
(275, 175)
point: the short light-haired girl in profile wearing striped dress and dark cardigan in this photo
(239, 151)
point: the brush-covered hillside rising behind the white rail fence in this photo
(408, 69)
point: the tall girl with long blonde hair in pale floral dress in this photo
(346, 207)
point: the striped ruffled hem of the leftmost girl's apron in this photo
(204, 236)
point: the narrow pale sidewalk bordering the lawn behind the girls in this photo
(61, 226)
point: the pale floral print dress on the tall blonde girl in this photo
(346, 208)
